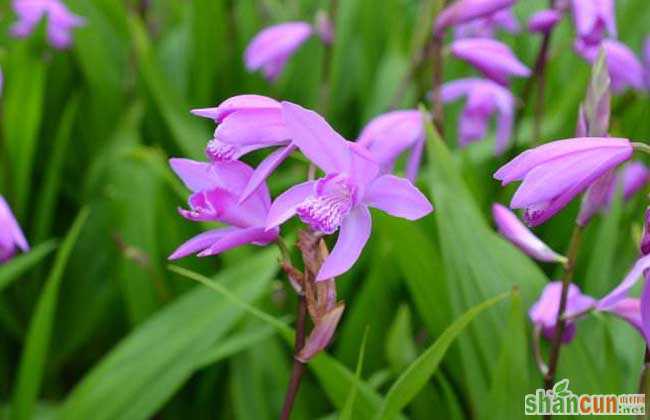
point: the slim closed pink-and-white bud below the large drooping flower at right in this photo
(513, 230)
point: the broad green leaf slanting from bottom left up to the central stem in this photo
(148, 366)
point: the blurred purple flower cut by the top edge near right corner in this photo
(593, 19)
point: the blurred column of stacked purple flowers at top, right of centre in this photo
(476, 23)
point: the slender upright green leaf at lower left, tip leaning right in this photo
(34, 357)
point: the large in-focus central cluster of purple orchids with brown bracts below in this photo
(356, 176)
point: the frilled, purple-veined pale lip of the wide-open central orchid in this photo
(332, 201)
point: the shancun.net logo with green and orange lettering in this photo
(561, 401)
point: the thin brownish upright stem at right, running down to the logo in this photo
(554, 357)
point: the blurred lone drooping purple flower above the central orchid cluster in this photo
(271, 48)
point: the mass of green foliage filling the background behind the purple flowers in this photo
(93, 325)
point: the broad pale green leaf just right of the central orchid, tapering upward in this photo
(478, 264)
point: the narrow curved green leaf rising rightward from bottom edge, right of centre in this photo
(422, 369)
